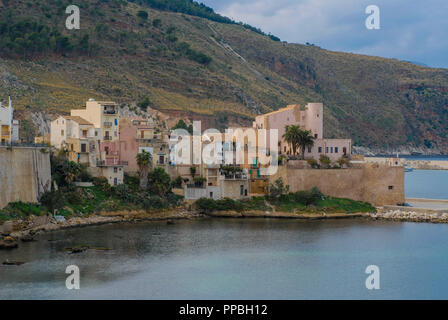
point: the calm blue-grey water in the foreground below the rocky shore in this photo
(235, 259)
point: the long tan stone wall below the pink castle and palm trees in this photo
(370, 182)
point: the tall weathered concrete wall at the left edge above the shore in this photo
(25, 174)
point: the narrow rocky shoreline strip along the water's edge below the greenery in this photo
(27, 230)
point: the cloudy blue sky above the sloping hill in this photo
(412, 30)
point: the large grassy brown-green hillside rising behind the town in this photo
(201, 66)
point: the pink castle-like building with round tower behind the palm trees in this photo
(309, 117)
